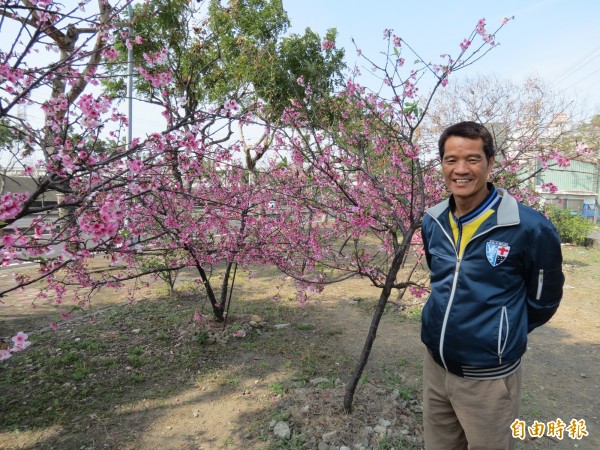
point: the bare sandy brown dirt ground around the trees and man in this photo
(561, 372)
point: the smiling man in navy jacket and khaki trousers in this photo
(496, 274)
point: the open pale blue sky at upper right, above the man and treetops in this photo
(555, 40)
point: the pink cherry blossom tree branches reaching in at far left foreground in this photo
(84, 157)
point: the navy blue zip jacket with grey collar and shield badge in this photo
(508, 282)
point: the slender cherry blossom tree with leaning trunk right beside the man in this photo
(370, 171)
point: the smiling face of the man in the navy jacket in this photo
(466, 169)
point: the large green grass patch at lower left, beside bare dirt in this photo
(61, 378)
